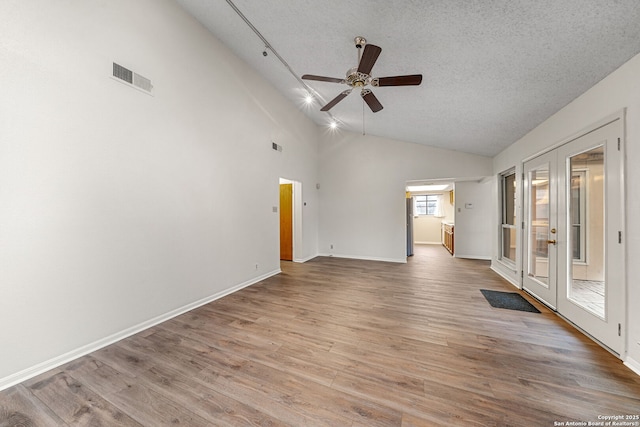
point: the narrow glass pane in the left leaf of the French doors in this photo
(539, 225)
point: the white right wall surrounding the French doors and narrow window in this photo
(621, 89)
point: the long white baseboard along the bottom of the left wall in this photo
(45, 366)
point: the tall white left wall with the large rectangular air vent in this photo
(118, 208)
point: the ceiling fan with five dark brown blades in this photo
(360, 77)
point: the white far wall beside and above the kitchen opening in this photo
(363, 181)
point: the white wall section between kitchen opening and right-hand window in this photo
(473, 210)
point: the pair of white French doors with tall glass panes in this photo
(574, 258)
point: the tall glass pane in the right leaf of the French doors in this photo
(586, 234)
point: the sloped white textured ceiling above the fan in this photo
(493, 70)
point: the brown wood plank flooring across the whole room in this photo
(340, 342)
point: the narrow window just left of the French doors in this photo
(508, 227)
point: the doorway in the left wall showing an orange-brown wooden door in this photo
(290, 219)
